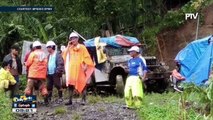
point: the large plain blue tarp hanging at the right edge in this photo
(196, 60)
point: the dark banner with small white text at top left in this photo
(26, 9)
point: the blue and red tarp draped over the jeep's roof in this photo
(116, 41)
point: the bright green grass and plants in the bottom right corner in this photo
(195, 103)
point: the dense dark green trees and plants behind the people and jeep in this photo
(141, 18)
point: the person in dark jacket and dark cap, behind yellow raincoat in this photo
(15, 66)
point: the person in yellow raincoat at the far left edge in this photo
(7, 81)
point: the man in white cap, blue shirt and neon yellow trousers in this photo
(133, 91)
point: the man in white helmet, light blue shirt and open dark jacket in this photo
(55, 70)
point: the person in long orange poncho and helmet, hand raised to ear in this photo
(78, 67)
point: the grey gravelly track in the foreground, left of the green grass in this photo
(96, 108)
